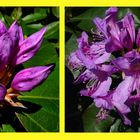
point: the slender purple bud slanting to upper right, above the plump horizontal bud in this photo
(30, 46)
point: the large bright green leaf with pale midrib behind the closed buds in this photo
(46, 95)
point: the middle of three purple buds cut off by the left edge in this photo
(5, 49)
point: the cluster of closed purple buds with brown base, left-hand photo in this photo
(14, 50)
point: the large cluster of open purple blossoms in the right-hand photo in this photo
(101, 63)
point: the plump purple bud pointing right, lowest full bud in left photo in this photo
(29, 78)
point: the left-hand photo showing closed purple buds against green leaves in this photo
(29, 69)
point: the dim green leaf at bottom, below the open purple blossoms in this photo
(90, 121)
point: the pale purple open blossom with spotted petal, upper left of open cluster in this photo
(91, 54)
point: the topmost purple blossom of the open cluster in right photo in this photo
(118, 34)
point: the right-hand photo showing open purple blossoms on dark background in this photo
(102, 59)
